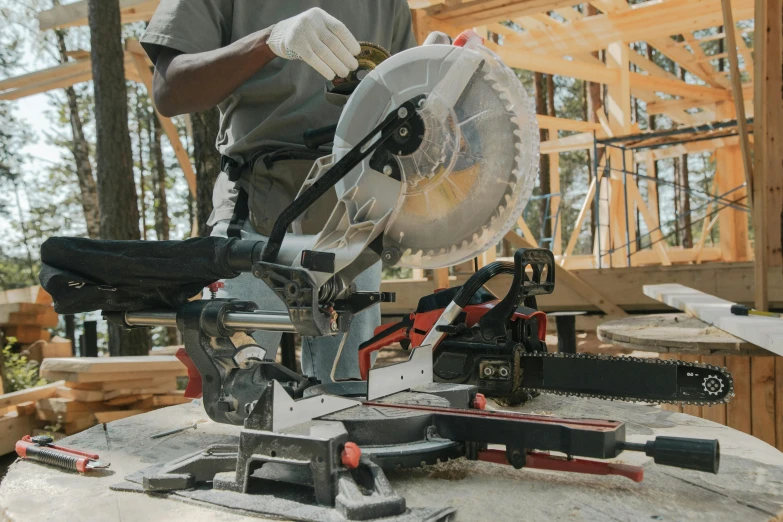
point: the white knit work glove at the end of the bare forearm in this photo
(320, 40)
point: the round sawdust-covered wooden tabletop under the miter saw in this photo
(748, 488)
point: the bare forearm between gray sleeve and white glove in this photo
(186, 83)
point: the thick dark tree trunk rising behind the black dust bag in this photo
(116, 188)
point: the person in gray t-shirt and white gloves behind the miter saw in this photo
(265, 65)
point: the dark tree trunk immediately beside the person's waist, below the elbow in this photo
(207, 158)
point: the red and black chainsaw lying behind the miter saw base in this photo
(499, 346)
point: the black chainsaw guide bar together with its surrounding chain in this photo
(629, 379)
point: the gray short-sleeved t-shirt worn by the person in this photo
(286, 98)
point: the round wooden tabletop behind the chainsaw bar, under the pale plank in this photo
(675, 333)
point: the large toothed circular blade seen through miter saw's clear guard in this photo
(471, 178)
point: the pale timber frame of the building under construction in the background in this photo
(556, 37)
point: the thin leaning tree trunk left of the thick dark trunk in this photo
(81, 154)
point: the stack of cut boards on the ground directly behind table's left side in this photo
(103, 389)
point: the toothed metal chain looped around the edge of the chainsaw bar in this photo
(723, 372)
